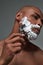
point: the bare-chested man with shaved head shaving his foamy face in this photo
(17, 48)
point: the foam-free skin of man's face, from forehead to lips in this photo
(35, 17)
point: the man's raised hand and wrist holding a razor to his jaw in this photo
(12, 45)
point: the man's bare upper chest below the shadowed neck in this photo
(26, 58)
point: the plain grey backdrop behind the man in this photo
(8, 9)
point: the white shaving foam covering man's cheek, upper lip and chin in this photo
(27, 28)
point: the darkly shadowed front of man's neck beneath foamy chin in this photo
(30, 47)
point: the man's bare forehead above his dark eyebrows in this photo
(33, 10)
